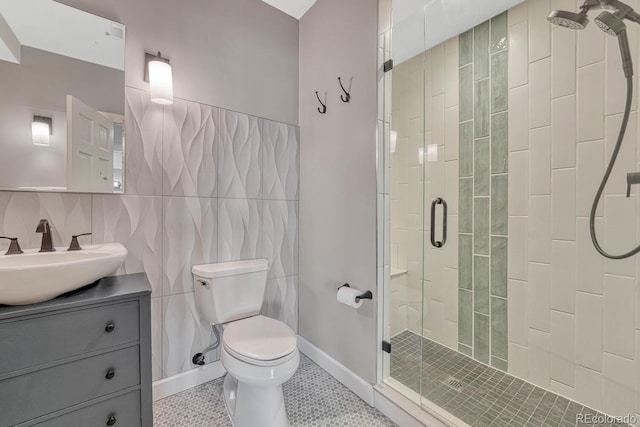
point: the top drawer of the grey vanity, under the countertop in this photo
(34, 341)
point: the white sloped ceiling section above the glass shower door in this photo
(418, 25)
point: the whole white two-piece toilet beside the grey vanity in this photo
(259, 353)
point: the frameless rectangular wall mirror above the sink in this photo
(62, 102)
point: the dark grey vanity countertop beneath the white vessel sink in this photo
(104, 290)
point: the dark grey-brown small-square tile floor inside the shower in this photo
(476, 393)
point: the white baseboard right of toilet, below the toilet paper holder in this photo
(348, 378)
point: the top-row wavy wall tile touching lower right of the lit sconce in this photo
(190, 150)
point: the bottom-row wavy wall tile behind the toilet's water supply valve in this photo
(184, 334)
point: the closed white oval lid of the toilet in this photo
(259, 338)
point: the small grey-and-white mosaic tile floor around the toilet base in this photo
(312, 398)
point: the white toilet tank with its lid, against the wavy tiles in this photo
(229, 291)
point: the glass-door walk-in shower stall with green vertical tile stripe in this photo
(495, 304)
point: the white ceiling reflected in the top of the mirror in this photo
(58, 28)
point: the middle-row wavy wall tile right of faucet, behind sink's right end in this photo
(136, 223)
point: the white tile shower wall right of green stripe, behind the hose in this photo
(579, 333)
